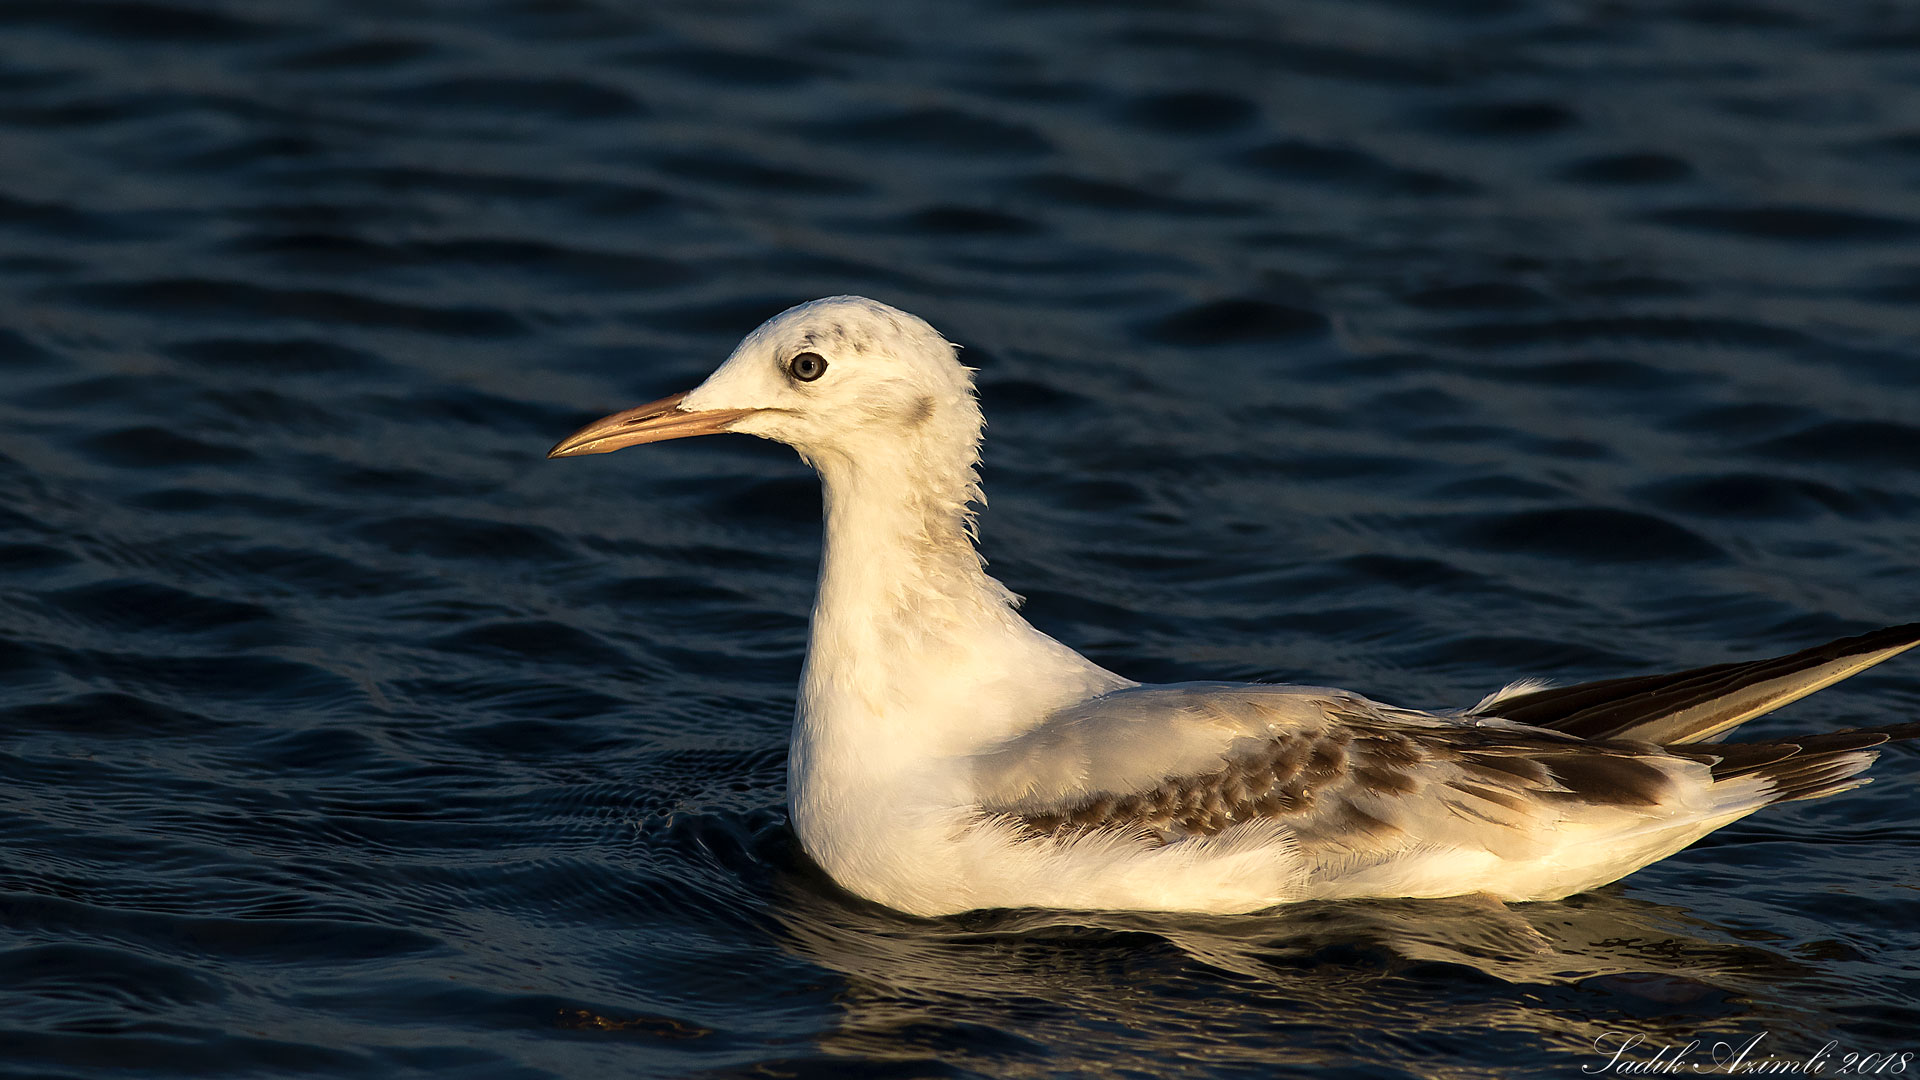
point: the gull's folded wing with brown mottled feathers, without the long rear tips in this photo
(1341, 775)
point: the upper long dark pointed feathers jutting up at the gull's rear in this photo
(1698, 704)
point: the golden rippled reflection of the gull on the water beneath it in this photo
(1418, 981)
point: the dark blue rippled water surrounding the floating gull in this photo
(1399, 347)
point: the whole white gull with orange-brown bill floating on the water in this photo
(948, 756)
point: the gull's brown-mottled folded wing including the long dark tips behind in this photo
(1345, 773)
